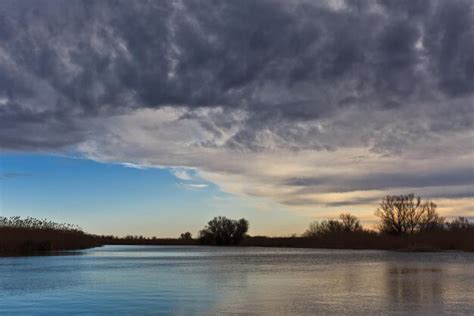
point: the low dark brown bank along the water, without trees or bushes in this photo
(59, 242)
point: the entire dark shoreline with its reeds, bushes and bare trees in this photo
(406, 224)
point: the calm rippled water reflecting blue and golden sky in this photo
(213, 280)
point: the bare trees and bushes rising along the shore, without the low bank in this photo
(398, 215)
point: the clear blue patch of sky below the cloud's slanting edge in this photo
(117, 199)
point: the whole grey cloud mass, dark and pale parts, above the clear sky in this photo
(244, 77)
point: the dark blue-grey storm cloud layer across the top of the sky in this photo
(64, 63)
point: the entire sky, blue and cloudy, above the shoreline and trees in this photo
(151, 117)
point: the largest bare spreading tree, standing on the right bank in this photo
(405, 214)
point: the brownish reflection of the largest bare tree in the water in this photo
(415, 288)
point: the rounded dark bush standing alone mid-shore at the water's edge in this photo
(223, 231)
